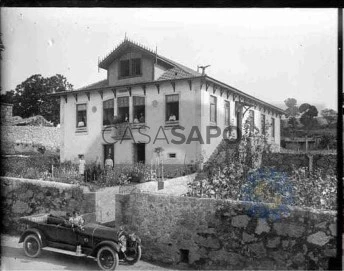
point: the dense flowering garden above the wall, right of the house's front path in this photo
(235, 172)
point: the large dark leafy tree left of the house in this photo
(30, 97)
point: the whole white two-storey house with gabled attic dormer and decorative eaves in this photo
(162, 108)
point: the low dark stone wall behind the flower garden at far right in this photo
(286, 161)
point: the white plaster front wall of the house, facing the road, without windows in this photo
(91, 143)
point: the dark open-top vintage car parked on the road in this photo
(55, 233)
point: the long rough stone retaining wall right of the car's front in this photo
(177, 230)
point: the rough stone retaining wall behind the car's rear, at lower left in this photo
(23, 197)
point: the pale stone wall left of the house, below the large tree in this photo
(17, 139)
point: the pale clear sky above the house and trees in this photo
(272, 54)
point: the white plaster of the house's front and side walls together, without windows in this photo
(194, 111)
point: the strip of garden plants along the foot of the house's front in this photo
(47, 166)
